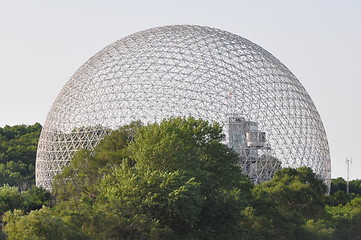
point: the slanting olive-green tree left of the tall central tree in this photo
(81, 178)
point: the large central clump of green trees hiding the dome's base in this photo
(174, 180)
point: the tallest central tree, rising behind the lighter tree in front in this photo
(194, 148)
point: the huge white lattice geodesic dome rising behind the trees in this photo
(188, 71)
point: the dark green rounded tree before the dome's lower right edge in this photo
(283, 205)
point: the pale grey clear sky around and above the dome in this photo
(43, 43)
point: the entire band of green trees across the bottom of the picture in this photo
(172, 180)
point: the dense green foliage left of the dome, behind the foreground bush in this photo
(17, 171)
